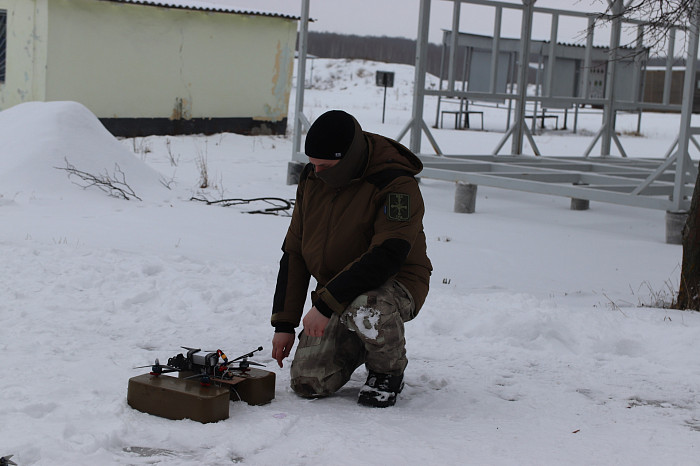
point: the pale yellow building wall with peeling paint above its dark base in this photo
(156, 70)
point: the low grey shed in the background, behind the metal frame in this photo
(578, 69)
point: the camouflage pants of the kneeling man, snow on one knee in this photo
(370, 331)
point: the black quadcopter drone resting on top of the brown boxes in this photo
(208, 366)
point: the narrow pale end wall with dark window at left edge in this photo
(26, 45)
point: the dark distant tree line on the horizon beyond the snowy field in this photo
(381, 49)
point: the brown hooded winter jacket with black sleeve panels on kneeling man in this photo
(353, 239)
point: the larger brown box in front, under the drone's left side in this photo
(174, 398)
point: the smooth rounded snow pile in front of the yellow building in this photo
(41, 140)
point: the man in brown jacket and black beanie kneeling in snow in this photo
(357, 228)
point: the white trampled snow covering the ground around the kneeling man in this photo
(544, 339)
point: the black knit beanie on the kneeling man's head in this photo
(331, 135)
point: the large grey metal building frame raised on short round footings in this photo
(664, 183)
